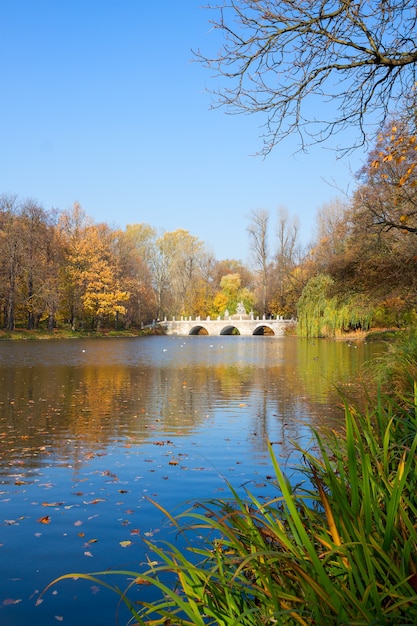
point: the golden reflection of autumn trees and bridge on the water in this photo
(102, 391)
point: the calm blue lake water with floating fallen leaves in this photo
(91, 430)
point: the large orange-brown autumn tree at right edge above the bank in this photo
(362, 245)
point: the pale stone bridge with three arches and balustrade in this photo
(245, 325)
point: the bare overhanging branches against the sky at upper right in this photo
(281, 57)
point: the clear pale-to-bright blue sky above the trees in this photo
(102, 104)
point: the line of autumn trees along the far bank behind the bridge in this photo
(61, 268)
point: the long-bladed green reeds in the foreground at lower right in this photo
(341, 551)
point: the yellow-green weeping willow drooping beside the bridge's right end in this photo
(322, 315)
